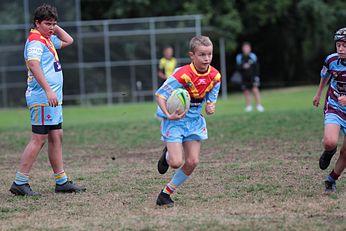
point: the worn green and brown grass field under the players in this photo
(258, 171)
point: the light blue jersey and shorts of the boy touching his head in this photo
(44, 51)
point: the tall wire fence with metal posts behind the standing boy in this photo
(110, 61)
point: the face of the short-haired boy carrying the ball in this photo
(201, 57)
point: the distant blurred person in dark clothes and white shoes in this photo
(248, 67)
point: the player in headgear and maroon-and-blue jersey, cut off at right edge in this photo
(334, 69)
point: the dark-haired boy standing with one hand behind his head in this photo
(44, 99)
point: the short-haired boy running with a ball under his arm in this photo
(183, 133)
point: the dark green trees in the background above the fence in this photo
(290, 37)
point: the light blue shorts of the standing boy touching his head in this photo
(46, 115)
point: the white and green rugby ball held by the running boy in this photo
(179, 101)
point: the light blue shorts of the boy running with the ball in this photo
(186, 129)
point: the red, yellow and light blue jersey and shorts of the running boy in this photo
(202, 88)
